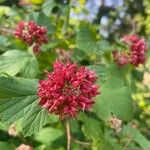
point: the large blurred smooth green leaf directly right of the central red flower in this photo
(115, 97)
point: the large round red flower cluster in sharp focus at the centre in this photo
(68, 89)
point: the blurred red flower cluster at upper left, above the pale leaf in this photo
(31, 33)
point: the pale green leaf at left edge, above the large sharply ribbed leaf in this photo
(14, 62)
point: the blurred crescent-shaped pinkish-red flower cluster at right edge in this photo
(136, 53)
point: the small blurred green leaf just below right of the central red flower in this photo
(92, 128)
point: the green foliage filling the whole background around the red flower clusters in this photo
(75, 36)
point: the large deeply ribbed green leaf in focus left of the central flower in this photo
(18, 101)
